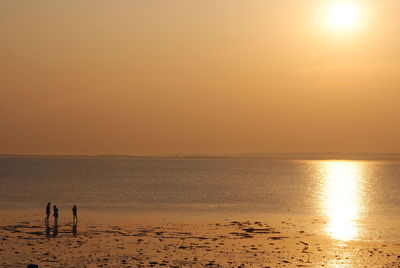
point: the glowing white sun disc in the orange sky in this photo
(343, 16)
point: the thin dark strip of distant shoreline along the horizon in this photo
(269, 156)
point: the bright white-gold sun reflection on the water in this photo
(341, 200)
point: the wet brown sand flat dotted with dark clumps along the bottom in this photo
(226, 243)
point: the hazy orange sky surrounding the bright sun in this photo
(206, 76)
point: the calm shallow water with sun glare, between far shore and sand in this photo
(345, 193)
